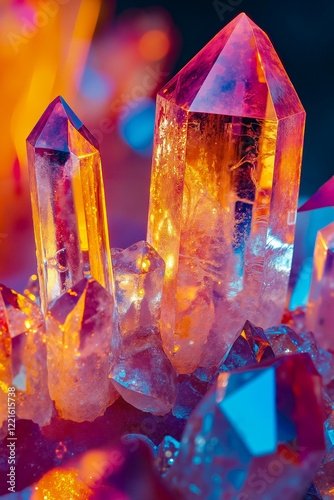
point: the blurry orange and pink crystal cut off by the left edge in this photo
(23, 357)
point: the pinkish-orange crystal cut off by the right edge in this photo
(320, 307)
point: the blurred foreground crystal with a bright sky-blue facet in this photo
(257, 434)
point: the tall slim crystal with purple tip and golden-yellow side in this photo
(68, 204)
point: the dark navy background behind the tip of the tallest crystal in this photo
(303, 36)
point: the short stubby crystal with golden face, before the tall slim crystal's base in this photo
(79, 328)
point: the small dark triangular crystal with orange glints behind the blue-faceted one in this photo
(250, 348)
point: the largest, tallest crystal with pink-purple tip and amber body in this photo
(224, 187)
